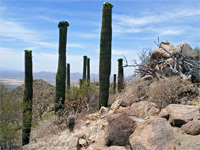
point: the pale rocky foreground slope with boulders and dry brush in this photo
(129, 124)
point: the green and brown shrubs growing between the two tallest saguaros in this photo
(79, 100)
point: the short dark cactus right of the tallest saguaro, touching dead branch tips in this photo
(120, 75)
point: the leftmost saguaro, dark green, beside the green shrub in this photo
(27, 100)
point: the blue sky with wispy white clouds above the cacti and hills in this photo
(32, 24)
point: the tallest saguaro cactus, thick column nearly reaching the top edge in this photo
(105, 54)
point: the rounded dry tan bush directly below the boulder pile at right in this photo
(171, 91)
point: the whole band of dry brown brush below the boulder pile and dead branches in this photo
(172, 90)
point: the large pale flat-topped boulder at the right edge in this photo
(180, 114)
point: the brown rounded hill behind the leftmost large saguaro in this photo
(43, 96)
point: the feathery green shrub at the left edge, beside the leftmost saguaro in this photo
(10, 120)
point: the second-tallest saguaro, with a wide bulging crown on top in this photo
(61, 72)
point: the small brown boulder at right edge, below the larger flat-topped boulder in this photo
(192, 127)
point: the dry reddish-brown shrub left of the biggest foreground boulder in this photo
(120, 127)
